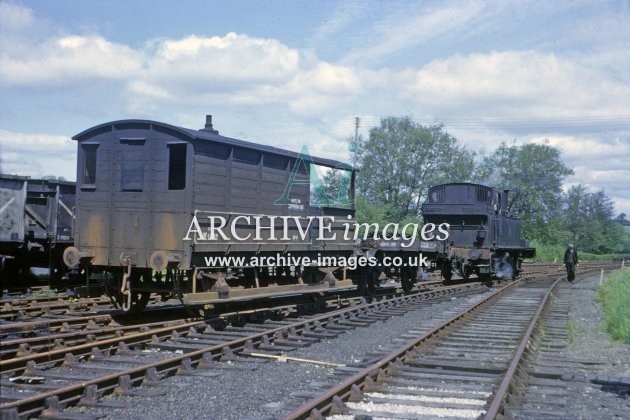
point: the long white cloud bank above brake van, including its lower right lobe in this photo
(237, 70)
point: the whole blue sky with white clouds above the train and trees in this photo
(293, 72)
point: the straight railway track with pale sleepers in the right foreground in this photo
(465, 367)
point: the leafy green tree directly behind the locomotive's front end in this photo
(533, 173)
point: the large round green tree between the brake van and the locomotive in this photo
(401, 159)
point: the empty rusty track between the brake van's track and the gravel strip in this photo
(73, 374)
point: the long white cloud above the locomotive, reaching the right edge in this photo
(523, 82)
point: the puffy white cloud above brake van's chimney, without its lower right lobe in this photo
(232, 70)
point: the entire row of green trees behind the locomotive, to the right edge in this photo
(401, 159)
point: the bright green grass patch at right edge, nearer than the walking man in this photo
(614, 296)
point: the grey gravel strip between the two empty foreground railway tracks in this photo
(270, 390)
